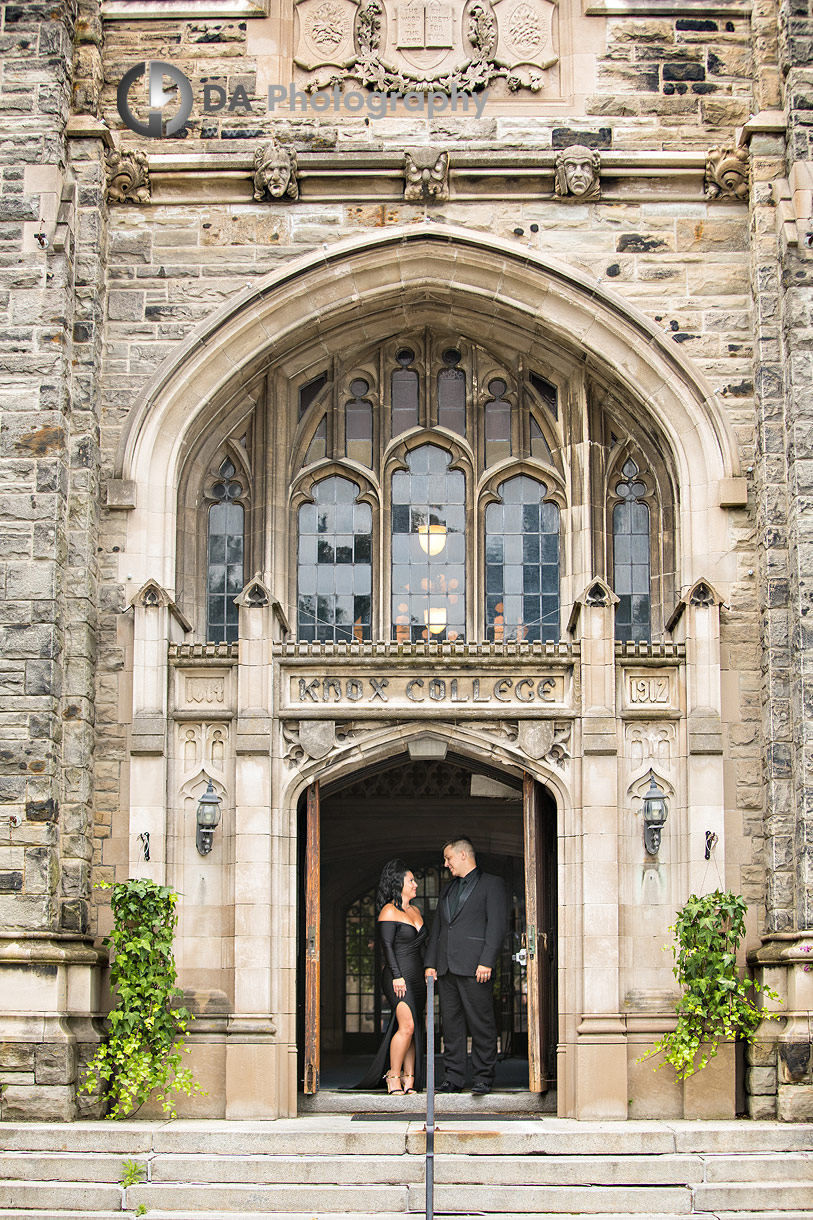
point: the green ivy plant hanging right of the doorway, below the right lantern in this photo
(716, 1005)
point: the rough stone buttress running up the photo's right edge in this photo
(781, 1075)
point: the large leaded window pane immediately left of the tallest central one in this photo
(335, 564)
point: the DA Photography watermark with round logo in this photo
(280, 98)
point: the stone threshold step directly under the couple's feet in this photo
(502, 1102)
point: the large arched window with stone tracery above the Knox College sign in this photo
(499, 429)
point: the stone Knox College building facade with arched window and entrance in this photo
(405, 418)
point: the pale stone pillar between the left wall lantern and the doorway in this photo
(255, 1062)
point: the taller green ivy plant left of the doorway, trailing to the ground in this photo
(147, 1027)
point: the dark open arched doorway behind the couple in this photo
(408, 809)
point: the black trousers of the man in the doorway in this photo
(468, 1008)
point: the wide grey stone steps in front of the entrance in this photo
(331, 1166)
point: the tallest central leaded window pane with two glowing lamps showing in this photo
(429, 574)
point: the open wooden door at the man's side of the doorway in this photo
(539, 936)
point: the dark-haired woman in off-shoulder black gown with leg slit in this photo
(402, 936)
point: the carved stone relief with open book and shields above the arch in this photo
(419, 46)
